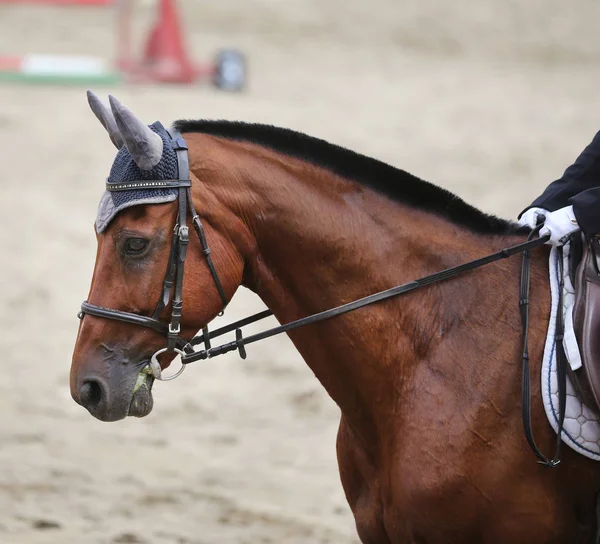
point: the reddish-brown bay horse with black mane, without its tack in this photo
(430, 444)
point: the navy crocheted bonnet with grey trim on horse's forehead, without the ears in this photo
(124, 169)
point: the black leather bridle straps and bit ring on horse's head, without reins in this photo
(173, 282)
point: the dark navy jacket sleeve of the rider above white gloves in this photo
(583, 176)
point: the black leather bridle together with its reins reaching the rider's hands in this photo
(173, 288)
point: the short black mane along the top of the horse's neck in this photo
(388, 180)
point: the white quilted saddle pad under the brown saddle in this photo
(581, 430)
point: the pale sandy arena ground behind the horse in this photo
(489, 99)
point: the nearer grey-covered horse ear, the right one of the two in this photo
(145, 146)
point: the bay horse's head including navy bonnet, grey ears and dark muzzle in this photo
(141, 232)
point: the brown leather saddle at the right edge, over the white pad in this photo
(585, 275)
